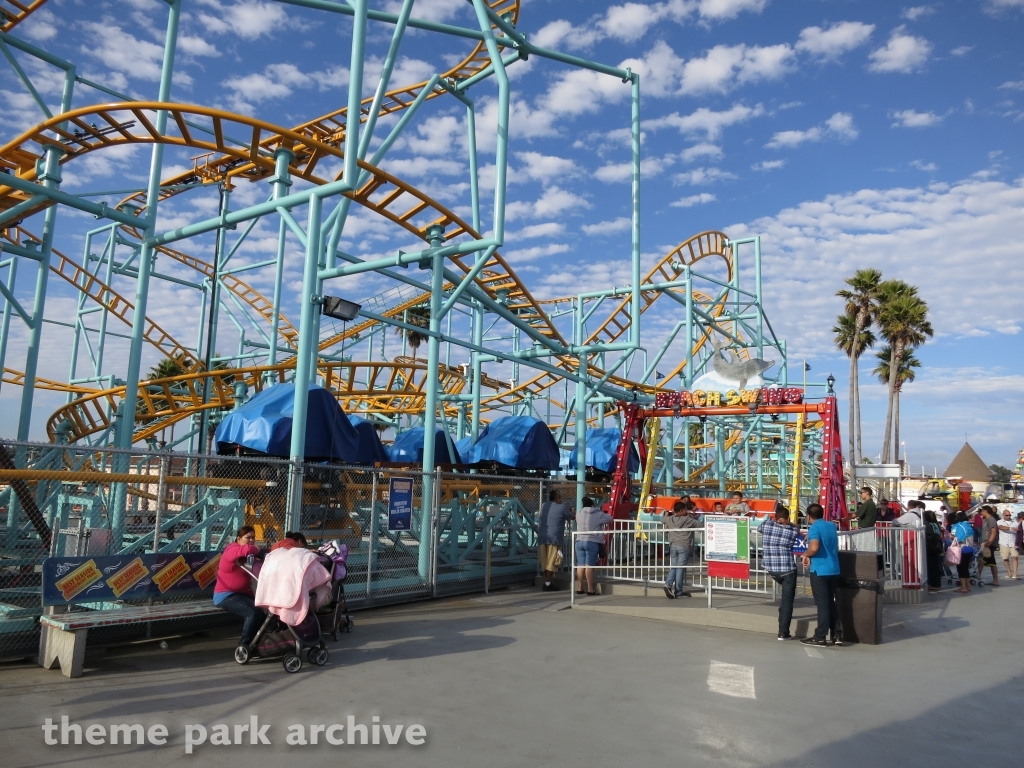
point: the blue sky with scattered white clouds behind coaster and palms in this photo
(847, 135)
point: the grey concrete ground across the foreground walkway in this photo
(515, 679)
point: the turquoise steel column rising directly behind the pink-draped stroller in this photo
(304, 363)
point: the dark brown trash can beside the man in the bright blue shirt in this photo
(862, 583)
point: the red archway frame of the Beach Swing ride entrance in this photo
(770, 402)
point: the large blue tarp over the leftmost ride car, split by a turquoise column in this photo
(265, 424)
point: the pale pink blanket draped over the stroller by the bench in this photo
(286, 581)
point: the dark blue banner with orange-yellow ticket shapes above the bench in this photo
(104, 579)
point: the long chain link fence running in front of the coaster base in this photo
(467, 533)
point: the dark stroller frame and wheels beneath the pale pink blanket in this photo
(278, 639)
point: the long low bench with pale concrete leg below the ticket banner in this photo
(64, 635)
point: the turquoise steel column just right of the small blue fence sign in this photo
(437, 236)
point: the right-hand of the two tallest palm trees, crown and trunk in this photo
(904, 323)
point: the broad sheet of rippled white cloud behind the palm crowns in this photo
(919, 235)
